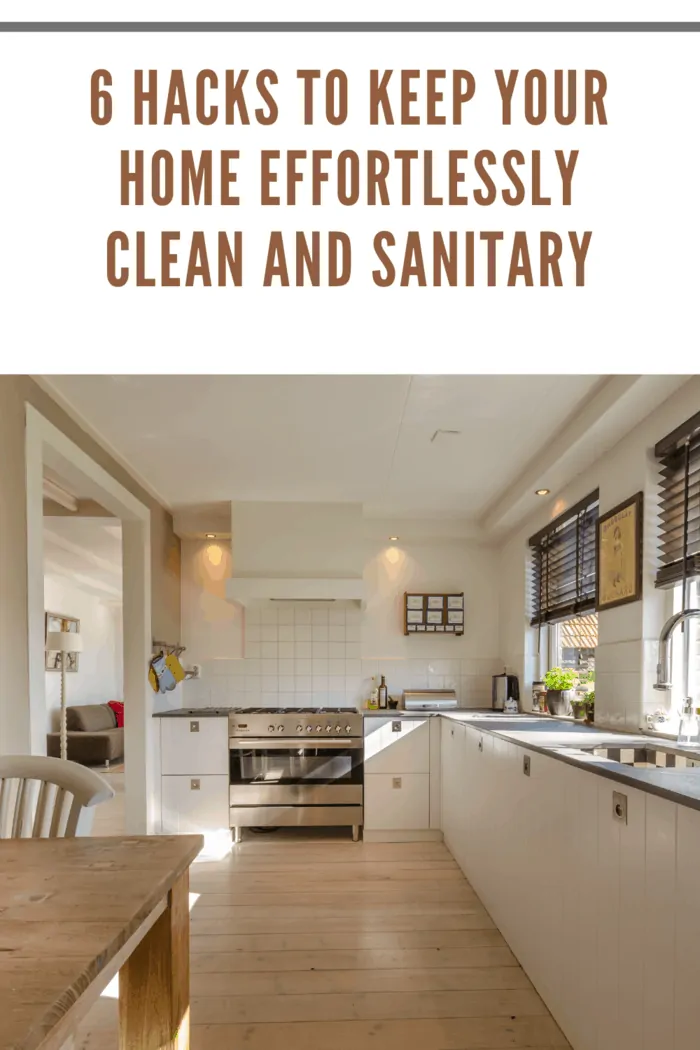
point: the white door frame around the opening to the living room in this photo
(47, 445)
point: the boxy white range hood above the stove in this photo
(296, 553)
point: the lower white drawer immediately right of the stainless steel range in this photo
(397, 802)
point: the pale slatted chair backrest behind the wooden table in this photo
(45, 797)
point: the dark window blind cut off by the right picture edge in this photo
(680, 505)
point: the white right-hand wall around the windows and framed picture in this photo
(627, 654)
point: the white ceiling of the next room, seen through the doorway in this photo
(88, 552)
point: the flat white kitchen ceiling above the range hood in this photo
(367, 439)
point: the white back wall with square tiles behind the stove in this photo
(296, 655)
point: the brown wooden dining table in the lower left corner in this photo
(76, 912)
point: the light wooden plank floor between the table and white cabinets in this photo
(305, 941)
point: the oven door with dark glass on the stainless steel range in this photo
(278, 772)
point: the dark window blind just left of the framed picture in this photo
(564, 564)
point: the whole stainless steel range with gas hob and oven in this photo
(295, 767)
